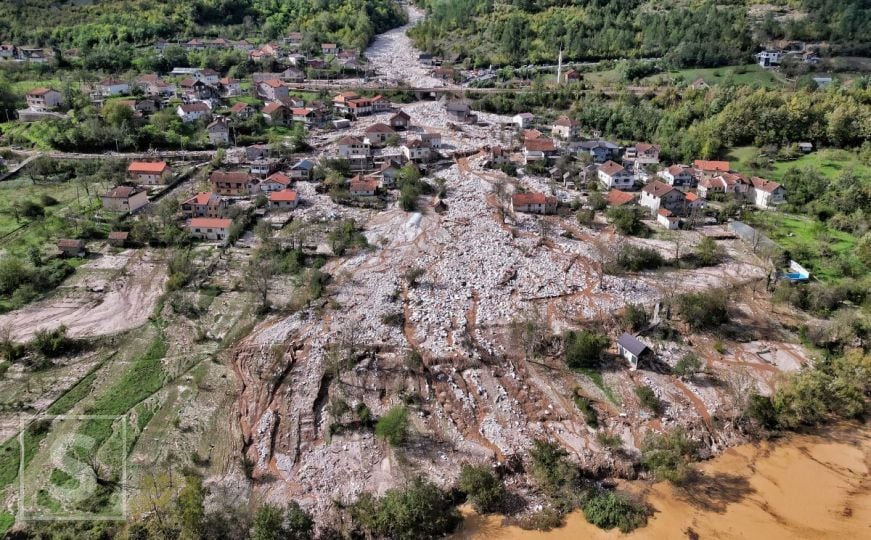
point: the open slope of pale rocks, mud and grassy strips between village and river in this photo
(434, 313)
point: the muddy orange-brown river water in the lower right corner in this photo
(801, 486)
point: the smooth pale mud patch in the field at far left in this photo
(126, 302)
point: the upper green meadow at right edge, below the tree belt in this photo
(829, 162)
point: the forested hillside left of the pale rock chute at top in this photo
(89, 24)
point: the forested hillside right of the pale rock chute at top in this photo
(705, 33)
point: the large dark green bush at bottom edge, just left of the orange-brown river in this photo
(419, 510)
